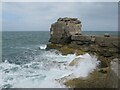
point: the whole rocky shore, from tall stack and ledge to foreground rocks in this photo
(67, 38)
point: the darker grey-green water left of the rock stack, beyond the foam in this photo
(18, 46)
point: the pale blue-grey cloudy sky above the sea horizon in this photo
(38, 16)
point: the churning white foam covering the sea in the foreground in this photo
(43, 73)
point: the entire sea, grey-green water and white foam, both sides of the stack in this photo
(27, 64)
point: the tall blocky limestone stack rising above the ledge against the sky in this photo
(62, 30)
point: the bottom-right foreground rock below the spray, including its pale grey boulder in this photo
(105, 77)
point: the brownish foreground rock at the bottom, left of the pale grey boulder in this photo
(95, 80)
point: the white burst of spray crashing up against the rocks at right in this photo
(87, 65)
